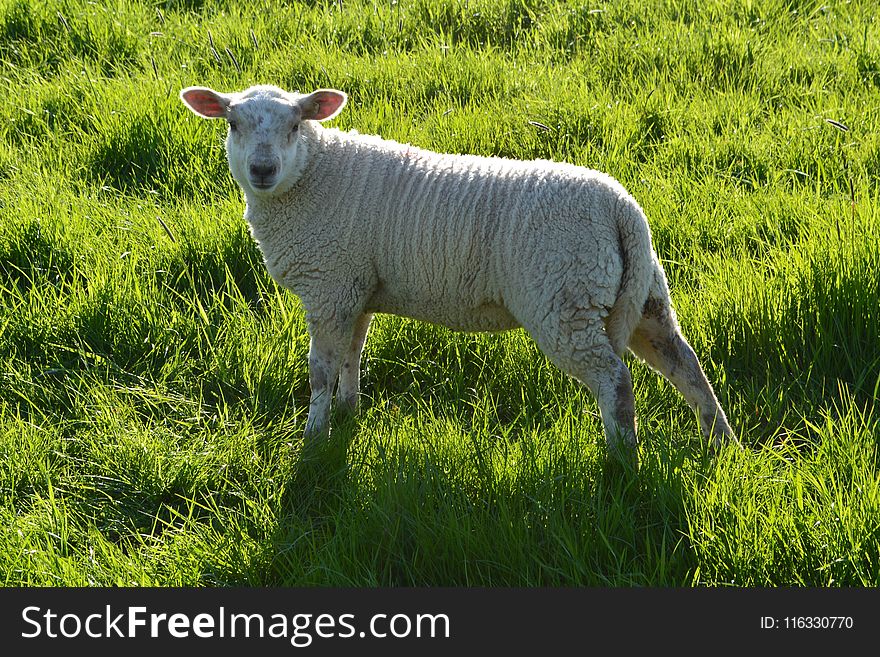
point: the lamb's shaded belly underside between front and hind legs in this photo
(464, 317)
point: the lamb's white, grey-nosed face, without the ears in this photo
(263, 140)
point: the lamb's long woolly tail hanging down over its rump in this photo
(634, 237)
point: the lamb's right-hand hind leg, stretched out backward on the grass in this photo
(658, 341)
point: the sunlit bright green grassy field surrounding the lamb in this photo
(153, 382)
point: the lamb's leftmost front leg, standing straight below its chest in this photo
(328, 346)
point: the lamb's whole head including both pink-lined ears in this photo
(264, 135)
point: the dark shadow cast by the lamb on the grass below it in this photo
(577, 522)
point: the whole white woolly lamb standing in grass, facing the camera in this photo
(355, 225)
